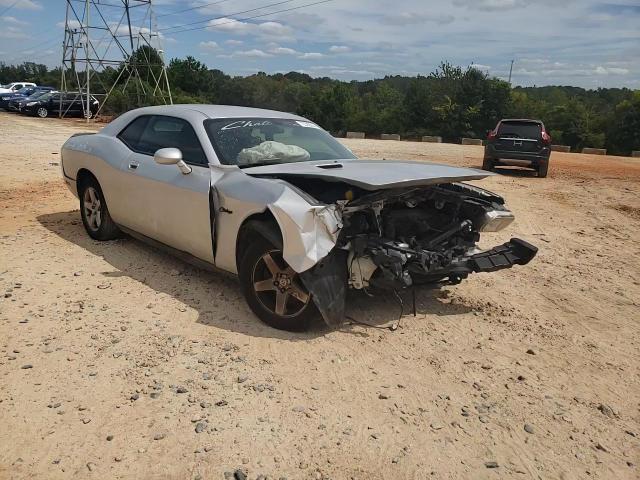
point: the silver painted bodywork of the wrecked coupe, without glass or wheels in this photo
(161, 203)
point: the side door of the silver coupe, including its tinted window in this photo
(165, 204)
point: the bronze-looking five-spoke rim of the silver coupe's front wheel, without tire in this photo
(278, 289)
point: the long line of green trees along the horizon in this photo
(451, 102)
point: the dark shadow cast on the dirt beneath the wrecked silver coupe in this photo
(217, 297)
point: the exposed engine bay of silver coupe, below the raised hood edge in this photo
(397, 239)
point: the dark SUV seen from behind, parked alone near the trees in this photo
(518, 142)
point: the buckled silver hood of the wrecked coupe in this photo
(371, 174)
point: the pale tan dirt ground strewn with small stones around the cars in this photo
(114, 355)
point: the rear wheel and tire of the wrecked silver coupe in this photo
(94, 212)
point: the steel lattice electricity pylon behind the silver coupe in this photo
(112, 51)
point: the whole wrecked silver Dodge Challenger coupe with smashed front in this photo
(274, 199)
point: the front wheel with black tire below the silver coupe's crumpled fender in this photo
(272, 289)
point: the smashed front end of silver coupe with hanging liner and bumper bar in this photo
(399, 238)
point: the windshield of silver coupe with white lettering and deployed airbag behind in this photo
(250, 142)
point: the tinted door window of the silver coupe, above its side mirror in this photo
(170, 132)
